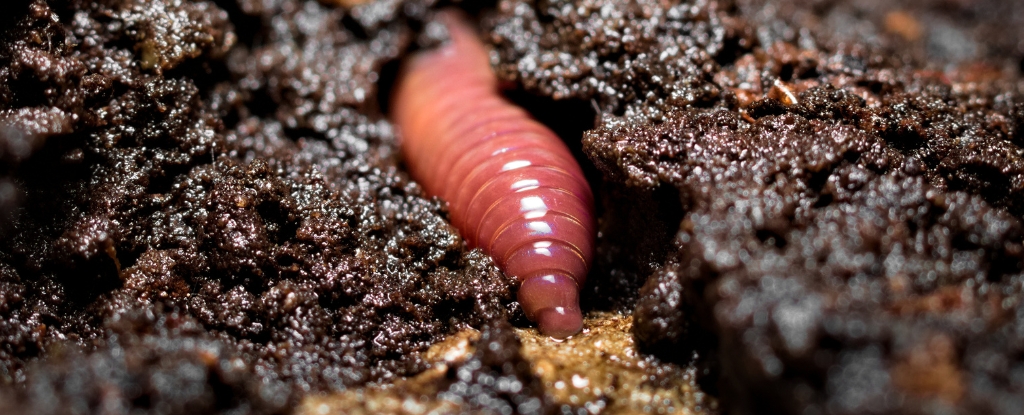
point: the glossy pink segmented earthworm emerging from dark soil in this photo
(514, 187)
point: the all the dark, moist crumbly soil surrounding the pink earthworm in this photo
(818, 204)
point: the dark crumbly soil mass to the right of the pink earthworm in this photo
(850, 191)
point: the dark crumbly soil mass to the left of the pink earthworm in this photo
(206, 213)
